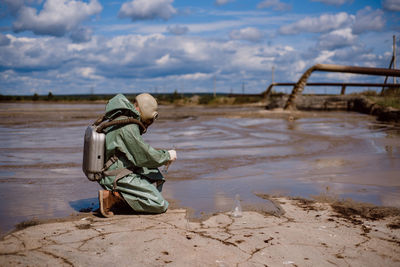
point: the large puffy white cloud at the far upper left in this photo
(56, 18)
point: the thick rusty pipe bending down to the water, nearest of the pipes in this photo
(299, 86)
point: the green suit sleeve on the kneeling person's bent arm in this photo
(139, 152)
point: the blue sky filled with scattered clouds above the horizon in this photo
(159, 46)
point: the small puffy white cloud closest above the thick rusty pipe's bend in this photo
(337, 39)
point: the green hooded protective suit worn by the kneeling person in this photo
(127, 143)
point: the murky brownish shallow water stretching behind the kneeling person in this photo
(221, 152)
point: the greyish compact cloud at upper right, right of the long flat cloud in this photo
(369, 20)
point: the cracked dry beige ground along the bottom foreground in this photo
(303, 236)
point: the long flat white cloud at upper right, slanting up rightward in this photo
(323, 23)
